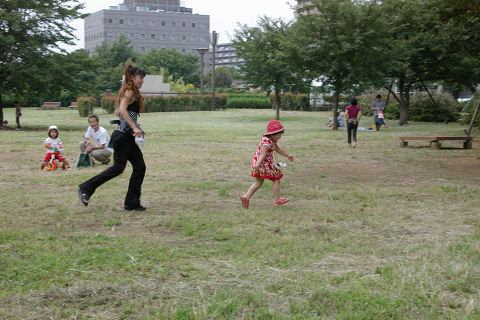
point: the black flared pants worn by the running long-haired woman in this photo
(125, 149)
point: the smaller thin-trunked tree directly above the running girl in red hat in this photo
(265, 57)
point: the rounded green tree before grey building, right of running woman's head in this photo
(181, 66)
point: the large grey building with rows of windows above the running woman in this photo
(149, 24)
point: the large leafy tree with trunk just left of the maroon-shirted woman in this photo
(338, 42)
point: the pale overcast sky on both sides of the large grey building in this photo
(224, 14)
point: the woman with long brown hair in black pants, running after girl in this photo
(129, 105)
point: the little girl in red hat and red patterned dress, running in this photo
(263, 166)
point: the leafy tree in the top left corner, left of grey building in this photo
(30, 31)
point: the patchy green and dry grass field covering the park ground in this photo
(376, 232)
